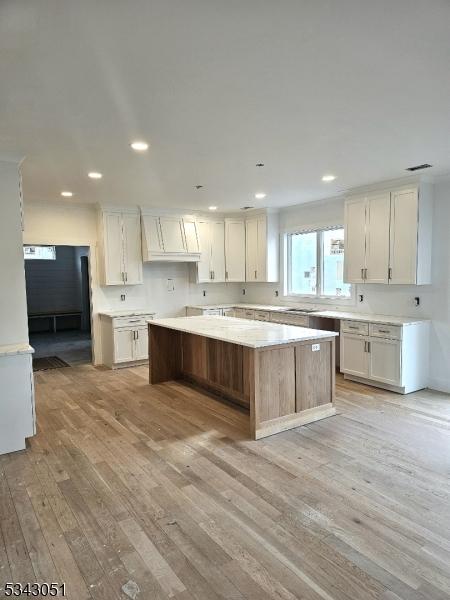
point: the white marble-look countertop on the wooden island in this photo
(253, 334)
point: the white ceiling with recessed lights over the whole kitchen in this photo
(358, 88)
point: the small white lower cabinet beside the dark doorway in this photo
(124, 340)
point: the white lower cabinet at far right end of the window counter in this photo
(391, 356)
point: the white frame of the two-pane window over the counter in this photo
(318, 296)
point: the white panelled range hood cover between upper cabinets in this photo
(169, 238)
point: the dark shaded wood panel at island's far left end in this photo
(165, 351)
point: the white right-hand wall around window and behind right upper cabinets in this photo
(384, 299)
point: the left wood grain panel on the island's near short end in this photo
(276, 383)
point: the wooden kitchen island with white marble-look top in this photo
(284, 375)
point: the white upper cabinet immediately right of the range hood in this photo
(211, 267)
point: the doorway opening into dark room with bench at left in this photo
(59, 305)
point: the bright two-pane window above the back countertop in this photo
(315, 265)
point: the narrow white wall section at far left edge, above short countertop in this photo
(13, 307)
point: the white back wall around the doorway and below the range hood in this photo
(49, 223)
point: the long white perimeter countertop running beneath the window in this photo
(330, 314)
